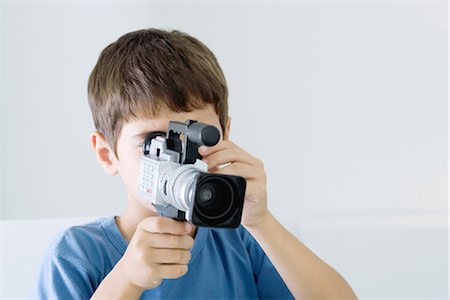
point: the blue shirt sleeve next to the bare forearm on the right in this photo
(269, 283)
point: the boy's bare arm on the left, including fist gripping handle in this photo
(159, 249)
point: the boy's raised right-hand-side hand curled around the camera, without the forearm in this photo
(245, 165)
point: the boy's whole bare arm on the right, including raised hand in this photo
(305, 274)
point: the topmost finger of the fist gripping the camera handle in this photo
(157, 224)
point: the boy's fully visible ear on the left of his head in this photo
(105, 156)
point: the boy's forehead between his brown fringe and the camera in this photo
(161, 121)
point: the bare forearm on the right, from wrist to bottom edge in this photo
(305, 274)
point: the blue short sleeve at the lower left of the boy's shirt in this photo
(63, 278)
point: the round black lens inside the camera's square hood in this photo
(214, 197)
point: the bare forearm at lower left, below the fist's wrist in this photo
(114, 286)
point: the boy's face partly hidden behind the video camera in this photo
(133, 134)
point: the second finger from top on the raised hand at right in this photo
(230, 155)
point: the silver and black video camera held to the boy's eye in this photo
(175, 180)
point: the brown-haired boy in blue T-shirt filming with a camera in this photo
(141, 82)
